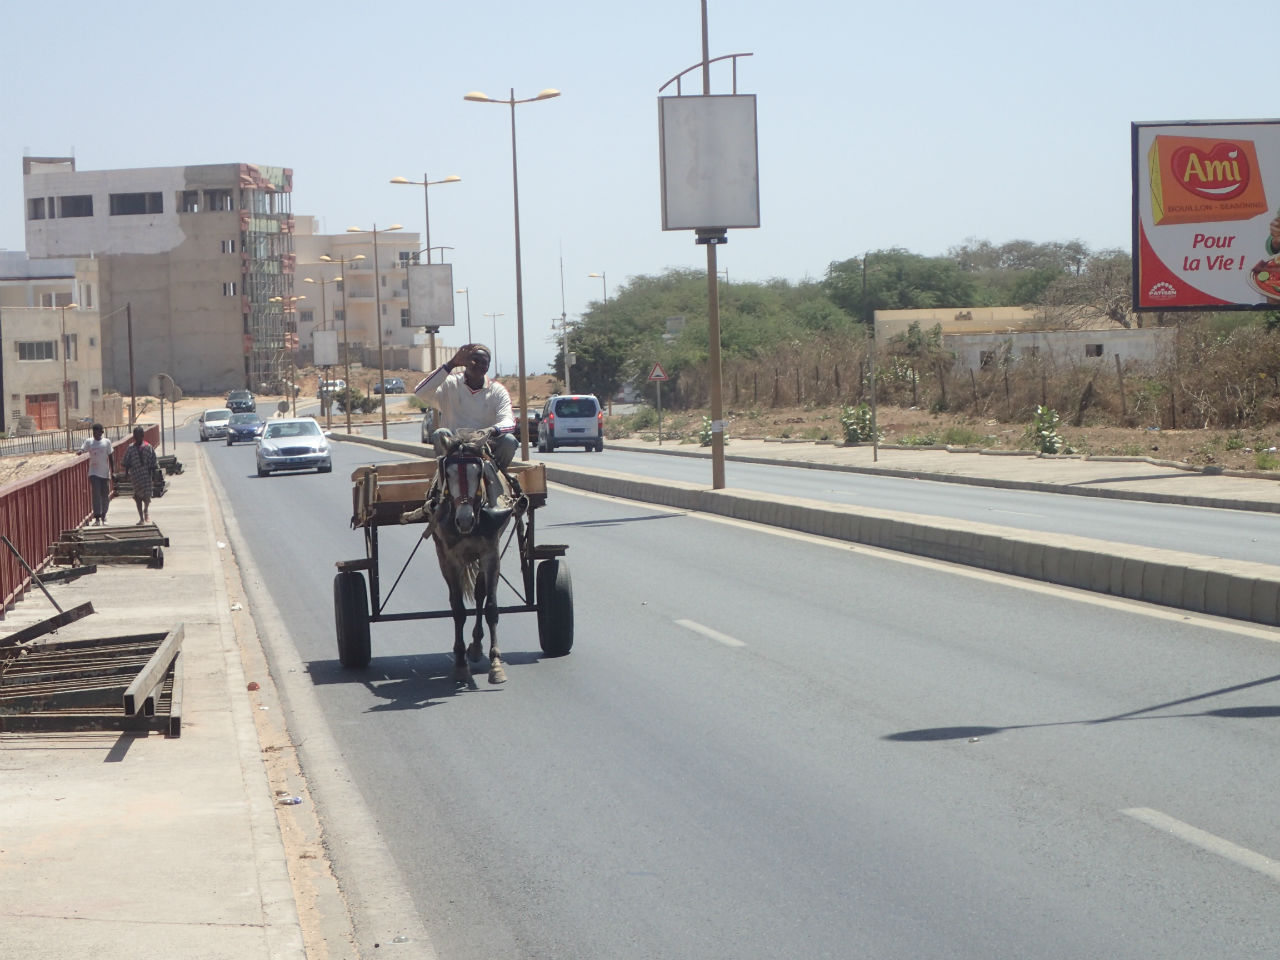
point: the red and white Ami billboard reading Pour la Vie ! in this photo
(1206, 230)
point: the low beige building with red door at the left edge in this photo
(51, 344)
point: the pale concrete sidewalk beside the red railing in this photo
(135, 845)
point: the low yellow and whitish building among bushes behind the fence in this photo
(981, 337)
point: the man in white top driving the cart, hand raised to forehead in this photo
(469, 400)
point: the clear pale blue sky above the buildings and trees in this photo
(917, 125)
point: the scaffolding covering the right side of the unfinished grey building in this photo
(267, 241)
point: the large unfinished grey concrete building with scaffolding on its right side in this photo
(196, 267)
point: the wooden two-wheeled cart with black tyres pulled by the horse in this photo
(383, 495)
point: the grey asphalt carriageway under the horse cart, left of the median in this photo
(769, 746)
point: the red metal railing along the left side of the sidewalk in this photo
(35, 513)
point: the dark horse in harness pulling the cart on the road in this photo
(468, 533)
